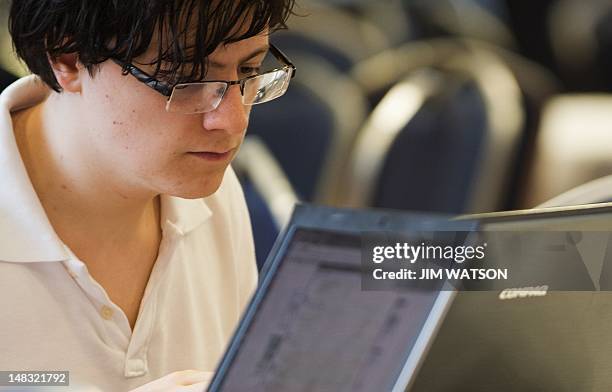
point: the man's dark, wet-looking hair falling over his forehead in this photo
(186, 31)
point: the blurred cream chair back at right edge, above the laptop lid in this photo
(572, 146)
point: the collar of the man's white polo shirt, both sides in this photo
(26, 235)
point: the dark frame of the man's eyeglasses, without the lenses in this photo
(166, 89)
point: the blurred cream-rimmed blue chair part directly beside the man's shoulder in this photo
(268, 194)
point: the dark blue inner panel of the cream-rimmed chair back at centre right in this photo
(434, 159)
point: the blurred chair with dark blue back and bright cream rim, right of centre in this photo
(452, 131)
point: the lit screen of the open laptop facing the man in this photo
(316, 329)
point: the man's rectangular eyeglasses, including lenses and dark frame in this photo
(202, 97)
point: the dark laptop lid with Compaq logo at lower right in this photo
(541, 340)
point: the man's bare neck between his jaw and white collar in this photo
(88, 207)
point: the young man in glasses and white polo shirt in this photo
(125, 245)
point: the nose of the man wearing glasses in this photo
(230, 116)
